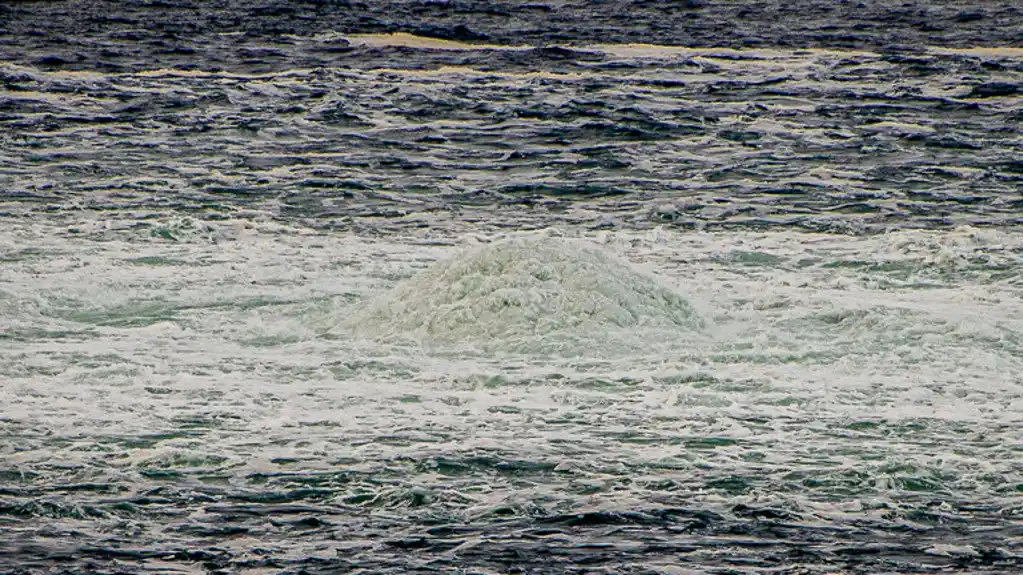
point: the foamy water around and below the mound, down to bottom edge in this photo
(172, 405)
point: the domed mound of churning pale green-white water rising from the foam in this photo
(533, 294)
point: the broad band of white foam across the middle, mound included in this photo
(234, 366)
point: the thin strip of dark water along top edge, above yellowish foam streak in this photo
(250, 35)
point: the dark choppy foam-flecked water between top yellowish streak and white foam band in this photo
(709, 140)
